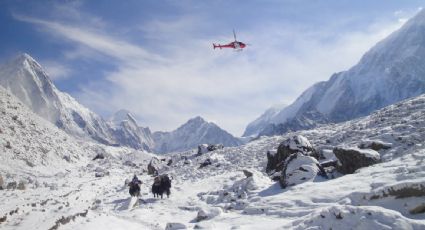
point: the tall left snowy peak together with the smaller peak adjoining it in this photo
(27, 80)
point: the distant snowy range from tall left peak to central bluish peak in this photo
(27, 80)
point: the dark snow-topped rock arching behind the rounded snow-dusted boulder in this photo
(291, 145)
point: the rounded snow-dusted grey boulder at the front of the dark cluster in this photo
(299, 168)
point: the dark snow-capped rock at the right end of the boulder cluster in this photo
(352, 159)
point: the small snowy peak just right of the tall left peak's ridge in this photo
(128, 133)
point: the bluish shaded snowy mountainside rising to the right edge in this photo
(391, 71)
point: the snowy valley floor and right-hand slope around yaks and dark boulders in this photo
(229, 200)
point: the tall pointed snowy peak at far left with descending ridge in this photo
(28, 81)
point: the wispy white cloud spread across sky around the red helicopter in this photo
(181, 76)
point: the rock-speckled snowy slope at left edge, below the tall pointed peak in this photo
(30, 143)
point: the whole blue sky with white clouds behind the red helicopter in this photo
(155, 58)
